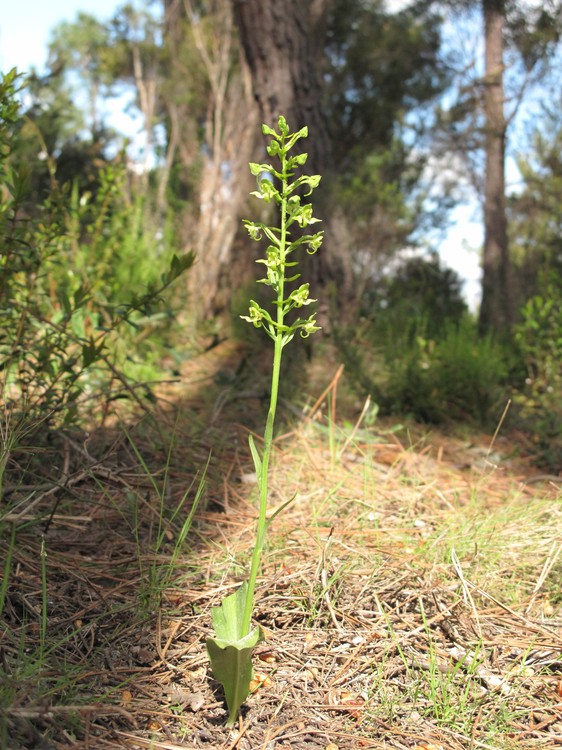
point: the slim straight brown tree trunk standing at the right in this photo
(496, 310)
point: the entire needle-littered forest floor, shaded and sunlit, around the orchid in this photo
(410, 595)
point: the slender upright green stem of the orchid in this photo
(268, 434)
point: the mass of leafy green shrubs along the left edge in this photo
(64, 290)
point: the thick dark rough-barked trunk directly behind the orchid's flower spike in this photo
(284, 47)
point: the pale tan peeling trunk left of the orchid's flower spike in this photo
(229, 137)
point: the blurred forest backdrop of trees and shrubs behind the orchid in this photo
(405, 122)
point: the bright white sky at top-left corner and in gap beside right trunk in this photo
(24, 33)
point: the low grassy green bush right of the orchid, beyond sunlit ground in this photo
(455, 376)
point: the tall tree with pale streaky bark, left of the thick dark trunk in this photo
(212, 119)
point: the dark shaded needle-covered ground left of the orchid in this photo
(98, 541)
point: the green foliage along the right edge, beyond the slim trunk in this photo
(536, 243)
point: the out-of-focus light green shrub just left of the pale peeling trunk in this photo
(118, 255)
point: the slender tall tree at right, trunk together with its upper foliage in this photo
(479, 121)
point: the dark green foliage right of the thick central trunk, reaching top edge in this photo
(381, 66)
